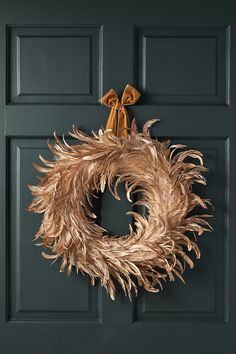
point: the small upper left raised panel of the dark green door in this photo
(54, 64)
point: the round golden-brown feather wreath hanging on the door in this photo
(157, 248)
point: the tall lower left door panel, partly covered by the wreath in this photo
(37, 291)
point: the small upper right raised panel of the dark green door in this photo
(182, 65)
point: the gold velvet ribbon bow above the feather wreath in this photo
(118, 120)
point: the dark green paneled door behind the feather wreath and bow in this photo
(57, 59)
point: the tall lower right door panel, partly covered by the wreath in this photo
(204, 297)
